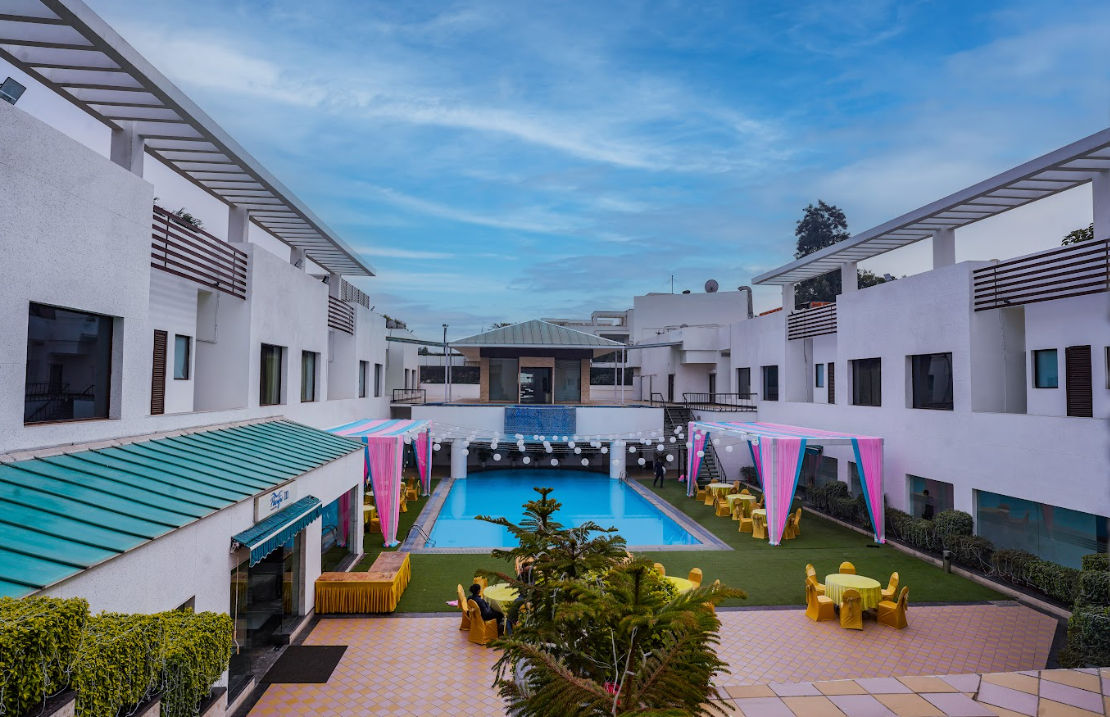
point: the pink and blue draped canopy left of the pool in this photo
(385, 443)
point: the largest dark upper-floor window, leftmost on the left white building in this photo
(69, 365)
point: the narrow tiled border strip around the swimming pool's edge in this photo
(418, 537)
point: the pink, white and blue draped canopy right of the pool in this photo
(778, 451)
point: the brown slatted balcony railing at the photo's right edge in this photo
(1058, 274)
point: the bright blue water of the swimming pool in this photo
(586, 497)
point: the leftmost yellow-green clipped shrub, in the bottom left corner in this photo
(38, 640)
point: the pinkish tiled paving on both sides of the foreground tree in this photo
(418, 666)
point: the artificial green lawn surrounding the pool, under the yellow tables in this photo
(770, 575)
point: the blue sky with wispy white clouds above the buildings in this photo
(501, 161)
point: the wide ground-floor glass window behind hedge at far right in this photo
(1052, 533)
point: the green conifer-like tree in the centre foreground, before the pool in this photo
(601, 633)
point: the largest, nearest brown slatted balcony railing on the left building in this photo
(193, 254)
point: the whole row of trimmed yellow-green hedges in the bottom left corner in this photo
(114, 662)
